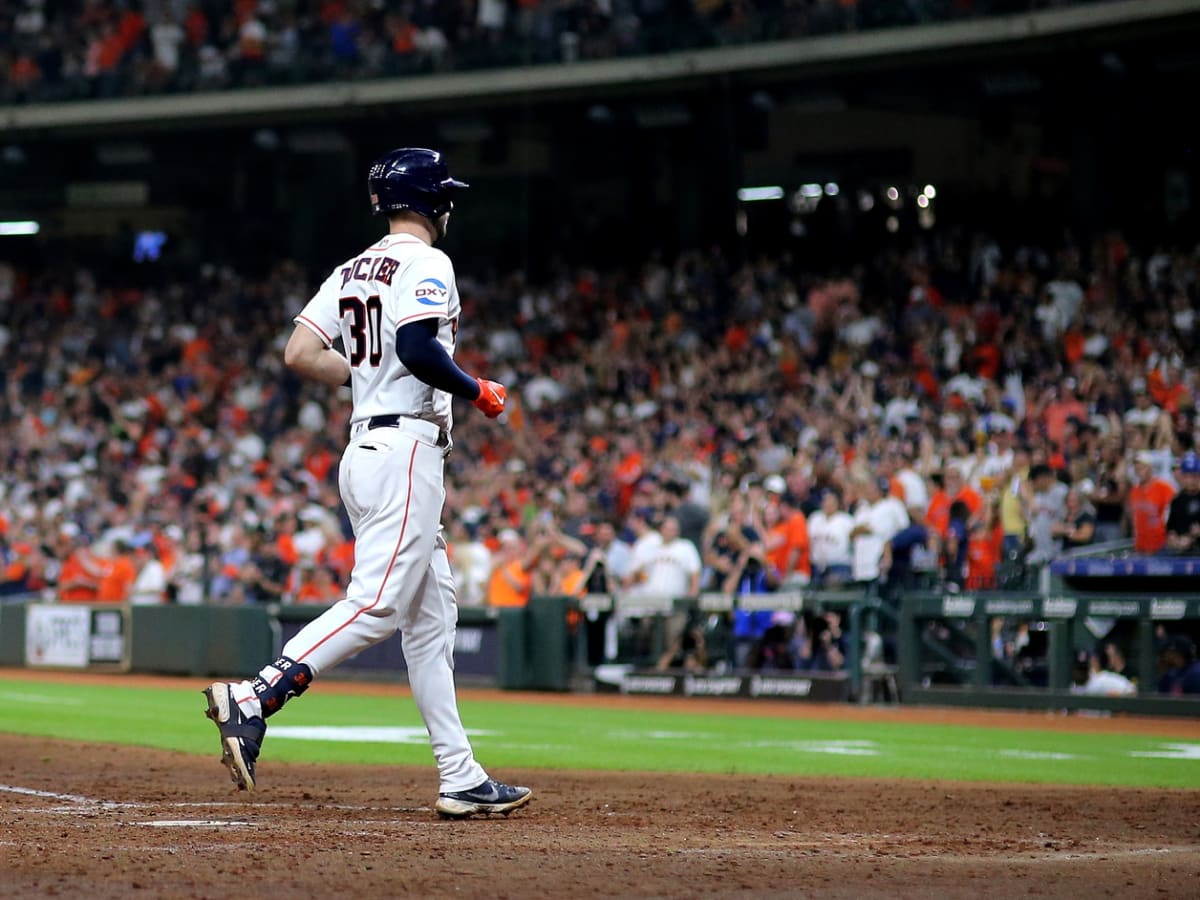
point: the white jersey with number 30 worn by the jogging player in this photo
(393, 283)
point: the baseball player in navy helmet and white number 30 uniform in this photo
(397, 309)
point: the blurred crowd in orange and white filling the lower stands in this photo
(946, 415)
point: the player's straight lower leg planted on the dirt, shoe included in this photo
(428, 634)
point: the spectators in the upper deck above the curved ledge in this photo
(106, 49)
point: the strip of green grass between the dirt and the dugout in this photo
(341, 729)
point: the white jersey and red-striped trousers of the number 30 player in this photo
(392, 483)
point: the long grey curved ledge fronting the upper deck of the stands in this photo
(1089, 26)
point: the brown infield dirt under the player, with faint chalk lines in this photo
(101, 821)
